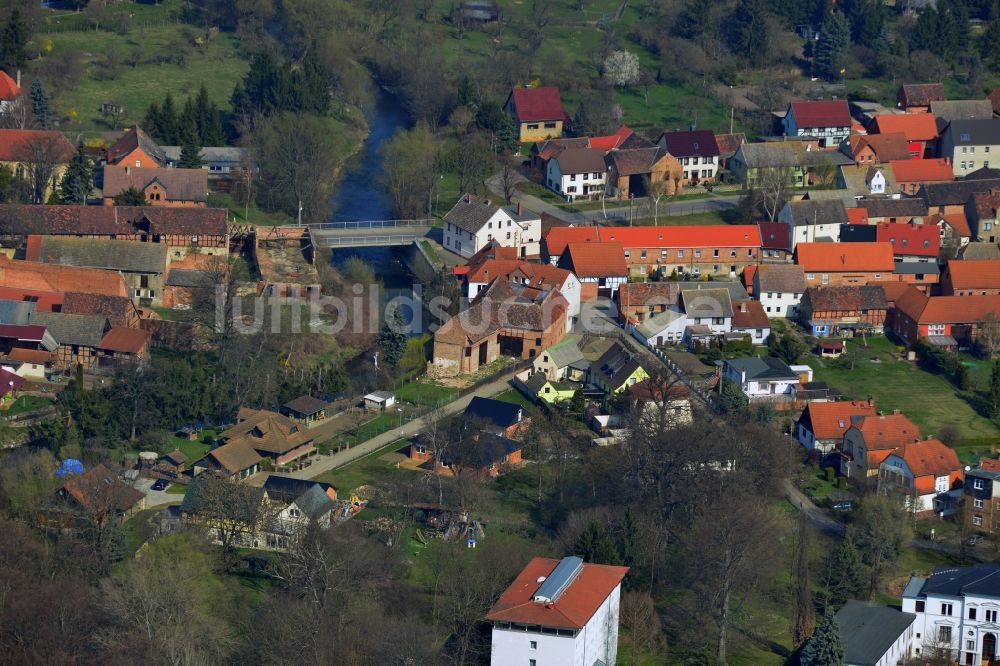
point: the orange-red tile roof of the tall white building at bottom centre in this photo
(572, 609)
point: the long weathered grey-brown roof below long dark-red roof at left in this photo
(126, 256)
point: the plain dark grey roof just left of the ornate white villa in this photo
(868, 630)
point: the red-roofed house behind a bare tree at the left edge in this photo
(37, 159)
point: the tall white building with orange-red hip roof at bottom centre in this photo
(561, 612)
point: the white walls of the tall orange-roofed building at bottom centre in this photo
(597, 640)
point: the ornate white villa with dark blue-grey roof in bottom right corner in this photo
(958, 610)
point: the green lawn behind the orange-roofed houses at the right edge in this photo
(929, 400)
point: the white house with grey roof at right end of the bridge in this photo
(474, 222)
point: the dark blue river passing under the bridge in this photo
(361, 197)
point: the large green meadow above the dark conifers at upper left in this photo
(219, 65)
